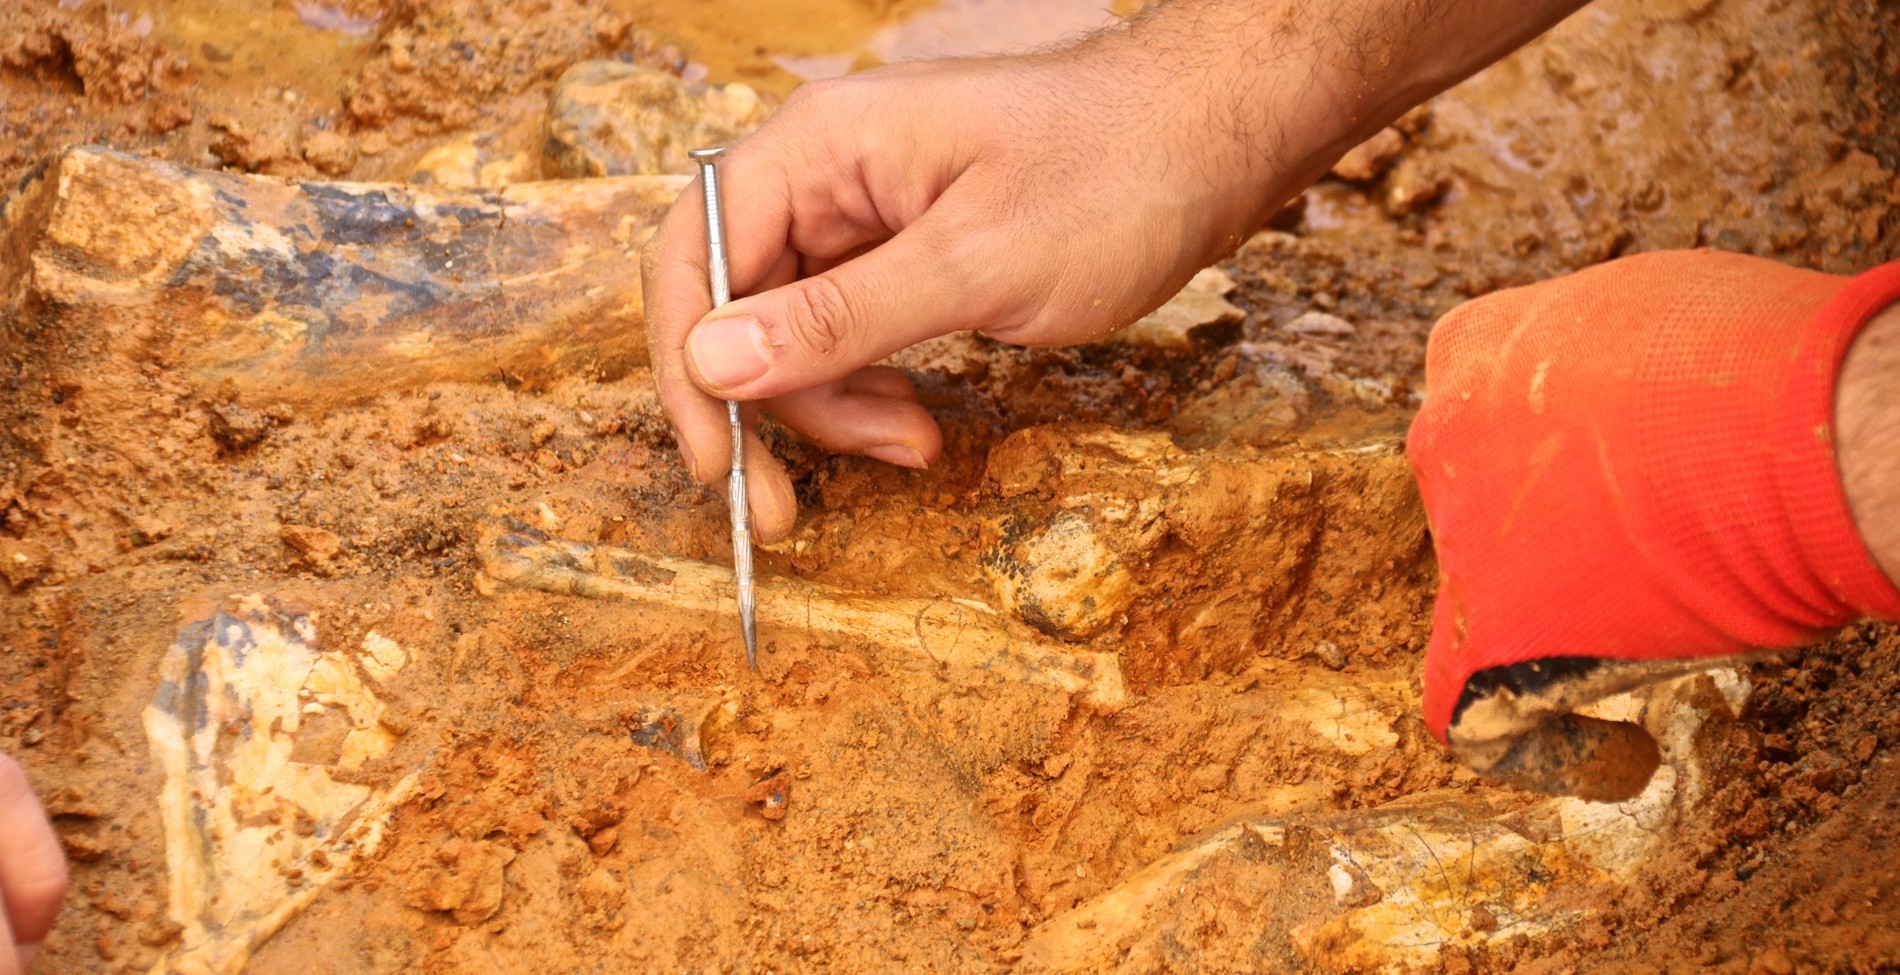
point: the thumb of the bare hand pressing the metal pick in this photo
(824, 328)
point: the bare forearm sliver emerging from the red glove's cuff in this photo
(1867, 415)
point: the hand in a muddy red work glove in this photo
(1627, 472)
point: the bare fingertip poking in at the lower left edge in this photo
(33, 871)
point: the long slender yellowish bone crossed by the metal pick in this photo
(945, 632)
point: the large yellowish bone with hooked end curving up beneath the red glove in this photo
(1388, 890)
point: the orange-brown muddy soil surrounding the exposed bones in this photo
(930, 822)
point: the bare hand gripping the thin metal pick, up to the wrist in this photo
(1040, 201)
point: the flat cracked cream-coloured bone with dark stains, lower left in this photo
(265, 744)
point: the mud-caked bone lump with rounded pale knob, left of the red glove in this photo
(1253, 550)
